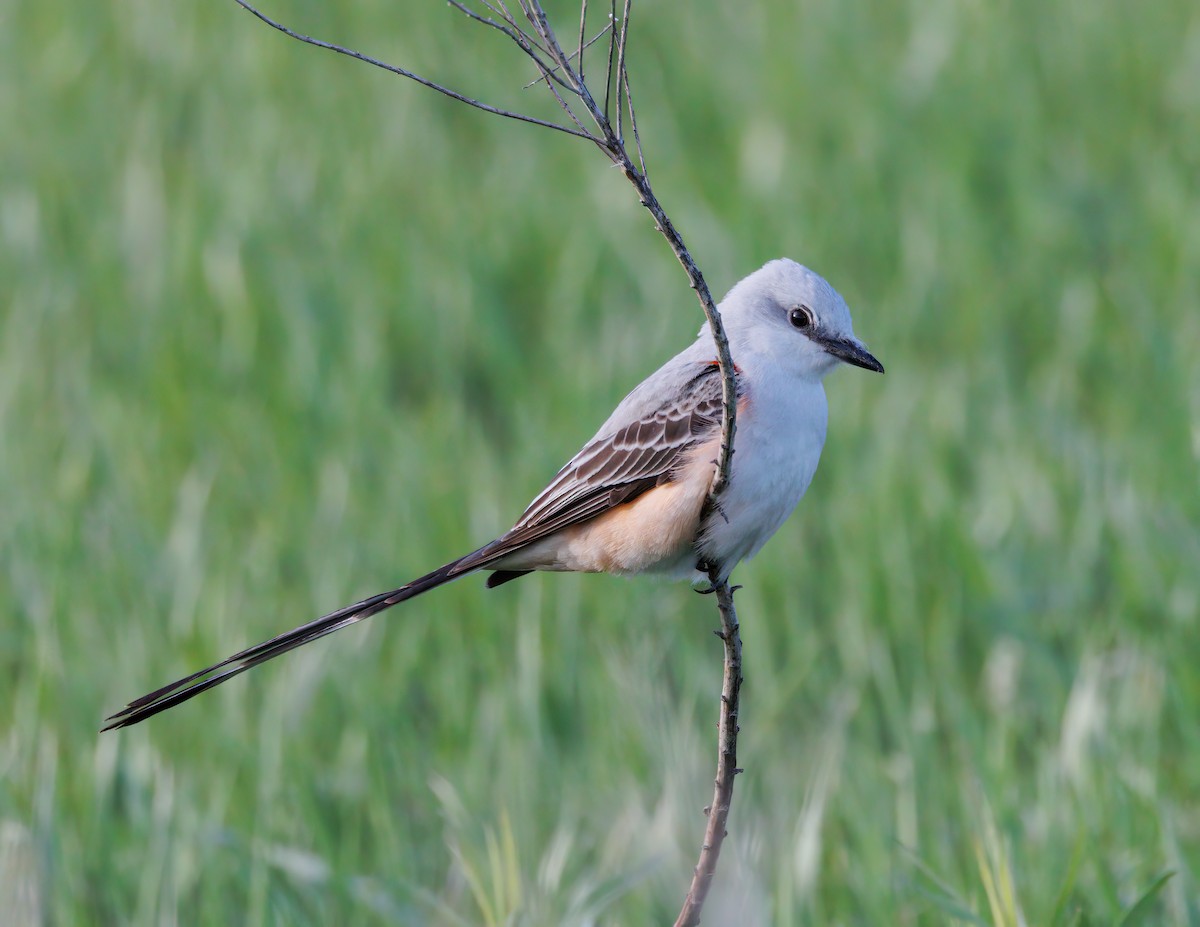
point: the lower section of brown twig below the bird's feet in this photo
(727, 757)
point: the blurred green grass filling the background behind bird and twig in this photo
(279, 331)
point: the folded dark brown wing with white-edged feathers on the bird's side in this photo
(619, 468)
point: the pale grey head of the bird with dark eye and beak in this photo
(789, 314)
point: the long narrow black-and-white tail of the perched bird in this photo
(191, 686)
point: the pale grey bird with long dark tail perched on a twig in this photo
(634, 500)
